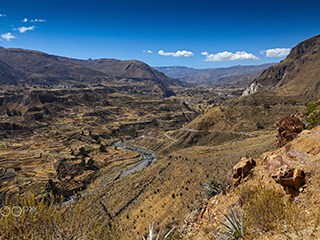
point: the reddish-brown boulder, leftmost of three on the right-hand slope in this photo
(241, 170)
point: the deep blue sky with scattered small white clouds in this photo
(199, 34)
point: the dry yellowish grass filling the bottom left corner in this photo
(49, 221)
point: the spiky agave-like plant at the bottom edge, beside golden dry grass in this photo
(234, 226)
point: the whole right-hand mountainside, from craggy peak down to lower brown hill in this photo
(280, 91)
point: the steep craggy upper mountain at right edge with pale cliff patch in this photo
(296, 76)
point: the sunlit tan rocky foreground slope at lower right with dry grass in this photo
(299, 215)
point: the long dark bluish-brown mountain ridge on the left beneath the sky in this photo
(40, 68)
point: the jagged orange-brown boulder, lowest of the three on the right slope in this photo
(291, 179)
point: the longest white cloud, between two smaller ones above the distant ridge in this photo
(228, 56)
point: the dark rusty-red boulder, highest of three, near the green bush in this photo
(288, 129)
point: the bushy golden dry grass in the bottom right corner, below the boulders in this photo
(267, 211)
